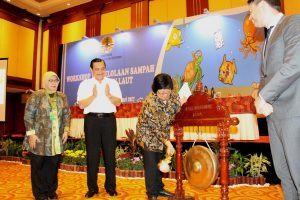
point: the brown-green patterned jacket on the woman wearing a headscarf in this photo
(37, 119)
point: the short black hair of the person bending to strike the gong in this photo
(162, 81)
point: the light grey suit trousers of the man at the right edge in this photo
(284, 141)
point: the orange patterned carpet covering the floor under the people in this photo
(15, 184)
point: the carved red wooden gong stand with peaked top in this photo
(202, 110)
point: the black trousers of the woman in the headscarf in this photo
(44, 171)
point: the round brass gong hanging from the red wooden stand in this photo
(201, 167)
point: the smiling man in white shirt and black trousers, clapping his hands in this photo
(99, 97)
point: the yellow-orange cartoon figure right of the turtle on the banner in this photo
(227, 71)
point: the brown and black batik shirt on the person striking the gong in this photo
(153, 126)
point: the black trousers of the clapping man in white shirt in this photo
(100, 132)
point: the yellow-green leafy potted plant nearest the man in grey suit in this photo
(255, 166)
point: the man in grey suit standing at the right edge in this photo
(279, 93)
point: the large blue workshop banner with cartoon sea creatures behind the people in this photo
(221, 50)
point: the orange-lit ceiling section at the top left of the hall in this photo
(46, 7)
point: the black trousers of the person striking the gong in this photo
(153, 178)
